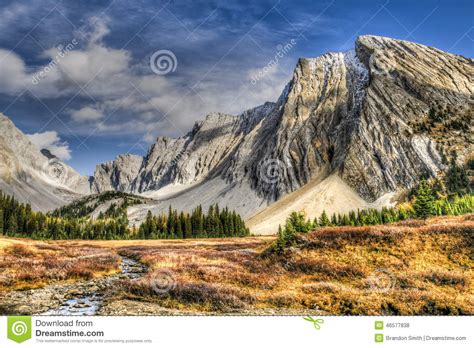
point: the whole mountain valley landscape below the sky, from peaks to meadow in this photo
(350, 194)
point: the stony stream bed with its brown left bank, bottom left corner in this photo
(81, 298)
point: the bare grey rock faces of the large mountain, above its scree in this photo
(350, 113)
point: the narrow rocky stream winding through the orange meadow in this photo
(88, 302)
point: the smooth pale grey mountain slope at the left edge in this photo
(35, 175)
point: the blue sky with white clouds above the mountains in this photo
(79, 75)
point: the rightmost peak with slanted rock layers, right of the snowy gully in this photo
(385, 153)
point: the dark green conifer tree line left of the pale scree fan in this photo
(19, 220)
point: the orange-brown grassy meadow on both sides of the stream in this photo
(409, 268)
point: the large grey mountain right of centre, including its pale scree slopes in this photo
(350, 130)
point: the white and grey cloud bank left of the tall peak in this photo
(125, 95)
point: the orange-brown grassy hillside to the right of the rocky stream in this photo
(411, 268)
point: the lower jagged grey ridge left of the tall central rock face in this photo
(187, 160)
